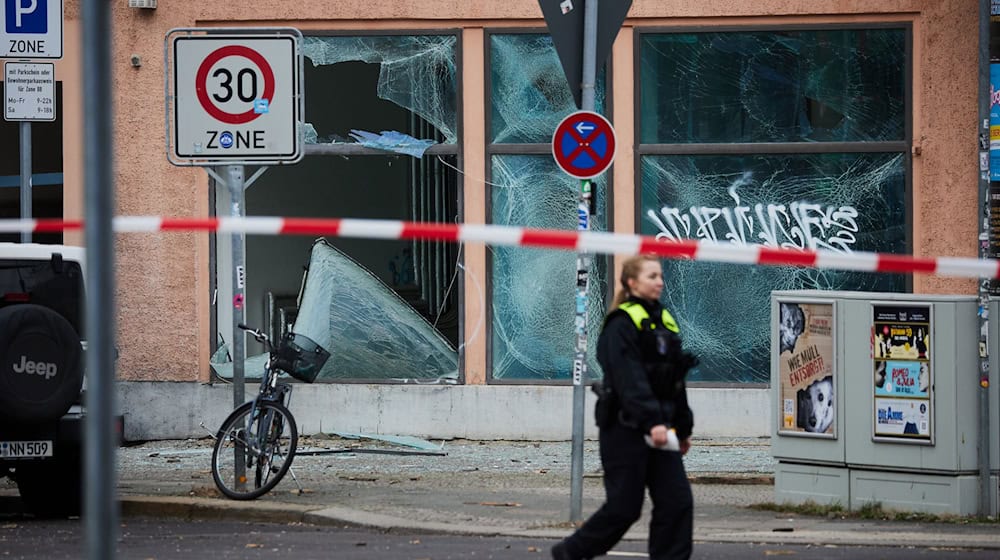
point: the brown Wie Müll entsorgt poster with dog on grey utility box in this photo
(805, 366)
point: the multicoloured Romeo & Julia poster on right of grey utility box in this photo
(901, 372)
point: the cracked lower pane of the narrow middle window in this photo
(533, 303)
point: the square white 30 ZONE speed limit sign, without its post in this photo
(237, 98)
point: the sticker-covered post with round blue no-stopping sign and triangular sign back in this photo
(584, 147)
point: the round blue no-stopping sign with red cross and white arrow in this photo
(584, 145)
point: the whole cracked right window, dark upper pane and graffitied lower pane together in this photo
(746, 99)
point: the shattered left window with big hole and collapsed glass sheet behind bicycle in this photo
(381, 144)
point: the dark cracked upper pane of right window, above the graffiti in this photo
(831, 85)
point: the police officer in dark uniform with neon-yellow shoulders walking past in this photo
(645, 423)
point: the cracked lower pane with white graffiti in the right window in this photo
(839, 202)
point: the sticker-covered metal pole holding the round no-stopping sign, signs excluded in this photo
(582, 275)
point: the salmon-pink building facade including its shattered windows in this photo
(735, 122)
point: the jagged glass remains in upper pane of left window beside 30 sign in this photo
(414, 72)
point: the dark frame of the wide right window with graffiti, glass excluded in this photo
(901, 146)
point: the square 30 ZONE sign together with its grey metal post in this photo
(236, 99)
